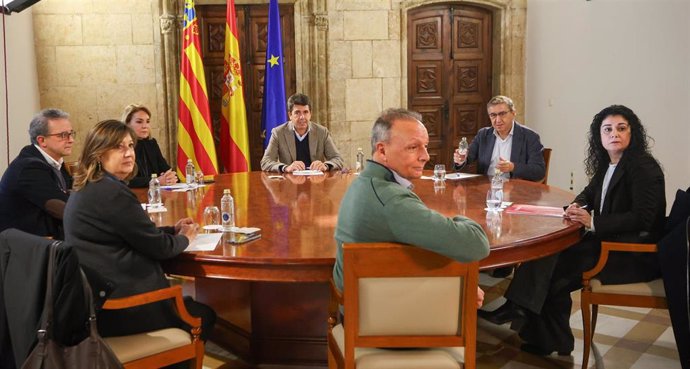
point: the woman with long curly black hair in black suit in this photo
(624, 201)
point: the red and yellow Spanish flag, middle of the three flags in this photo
(234, 139)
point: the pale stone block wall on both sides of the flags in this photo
(96, 56)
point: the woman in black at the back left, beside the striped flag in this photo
(150, 160)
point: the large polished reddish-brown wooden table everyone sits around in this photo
(271, 294)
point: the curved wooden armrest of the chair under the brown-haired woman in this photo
(174, 292)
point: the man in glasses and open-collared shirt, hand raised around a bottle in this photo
(507, 146)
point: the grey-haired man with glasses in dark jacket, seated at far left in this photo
(36, 185)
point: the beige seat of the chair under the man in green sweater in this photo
(373, 358)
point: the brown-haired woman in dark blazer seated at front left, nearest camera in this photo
(112, 234)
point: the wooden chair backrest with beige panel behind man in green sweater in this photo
(403, 296)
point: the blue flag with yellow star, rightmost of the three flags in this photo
(274, 111)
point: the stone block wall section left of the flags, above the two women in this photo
(96, 56)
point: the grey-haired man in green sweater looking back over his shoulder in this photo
(380, 206)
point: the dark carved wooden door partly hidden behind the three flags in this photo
(252, 23)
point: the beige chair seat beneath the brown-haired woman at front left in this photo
(137, 346)
